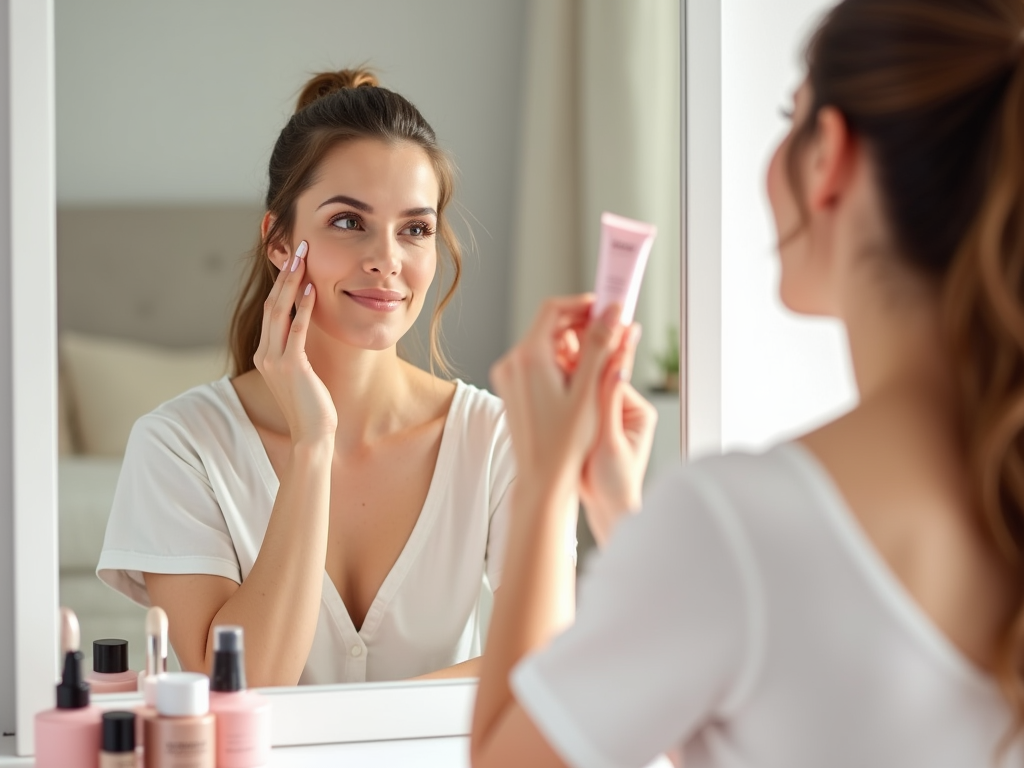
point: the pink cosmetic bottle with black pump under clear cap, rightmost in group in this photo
(243, 716)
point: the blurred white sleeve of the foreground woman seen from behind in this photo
(662, 641)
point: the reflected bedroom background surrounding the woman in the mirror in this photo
(165, 120)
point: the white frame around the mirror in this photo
(358, 713)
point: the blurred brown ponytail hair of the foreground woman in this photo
(935, 89)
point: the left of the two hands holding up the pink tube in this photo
(551, 394)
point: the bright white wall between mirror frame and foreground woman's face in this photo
(781, 374)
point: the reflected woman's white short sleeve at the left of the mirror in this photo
(165, 519)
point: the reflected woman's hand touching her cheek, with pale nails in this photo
(281, 358)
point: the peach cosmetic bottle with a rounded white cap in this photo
(183, 735)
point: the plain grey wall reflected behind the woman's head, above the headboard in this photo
(182, 102)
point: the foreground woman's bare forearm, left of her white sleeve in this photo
(536, 601)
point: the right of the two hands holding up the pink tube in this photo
(612, 481)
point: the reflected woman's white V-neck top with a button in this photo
(197, 490)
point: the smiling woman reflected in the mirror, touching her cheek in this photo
(344, 506)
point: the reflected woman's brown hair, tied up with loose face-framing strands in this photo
(337, 107)
